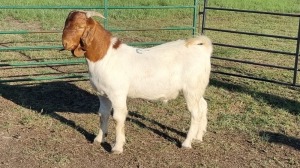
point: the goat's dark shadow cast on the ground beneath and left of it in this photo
(53, 97)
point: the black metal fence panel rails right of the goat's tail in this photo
(295, 54)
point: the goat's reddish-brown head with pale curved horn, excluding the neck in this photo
(77, 31)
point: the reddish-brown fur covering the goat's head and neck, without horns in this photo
(86, 36)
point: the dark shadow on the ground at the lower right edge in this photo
(278, 138)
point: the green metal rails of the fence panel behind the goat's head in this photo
(48, 62)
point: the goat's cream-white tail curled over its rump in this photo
(200, 40)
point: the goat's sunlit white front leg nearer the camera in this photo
(120, 113)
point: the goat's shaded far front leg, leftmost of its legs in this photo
(104, 112)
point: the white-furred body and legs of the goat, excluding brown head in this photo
(154, 73)
